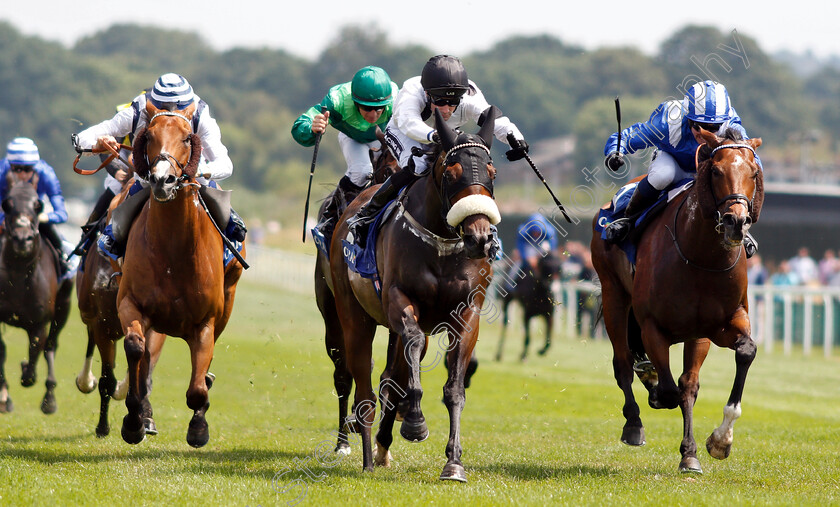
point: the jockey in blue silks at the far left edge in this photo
(24, 162)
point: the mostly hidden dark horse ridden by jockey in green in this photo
(383, 166)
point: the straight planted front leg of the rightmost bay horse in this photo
(693, 357)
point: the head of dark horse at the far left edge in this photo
(22, 207)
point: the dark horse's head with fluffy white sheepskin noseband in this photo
(464, 174)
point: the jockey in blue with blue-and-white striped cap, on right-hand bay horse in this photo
(672, 130)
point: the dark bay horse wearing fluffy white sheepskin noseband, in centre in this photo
(432, 260)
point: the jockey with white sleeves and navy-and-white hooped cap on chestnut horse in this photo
(171, 92)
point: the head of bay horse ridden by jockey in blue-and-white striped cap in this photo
(730, 183)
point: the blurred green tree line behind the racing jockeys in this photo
(549, 88)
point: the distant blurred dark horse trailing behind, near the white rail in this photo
(533, 293)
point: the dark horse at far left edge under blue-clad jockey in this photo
(32, 296)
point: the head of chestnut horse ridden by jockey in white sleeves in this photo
(166, 152)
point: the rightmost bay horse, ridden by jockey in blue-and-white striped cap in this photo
(690, 286)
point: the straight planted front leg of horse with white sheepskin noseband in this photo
(462, 342)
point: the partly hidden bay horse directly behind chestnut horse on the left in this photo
(96, 291)
